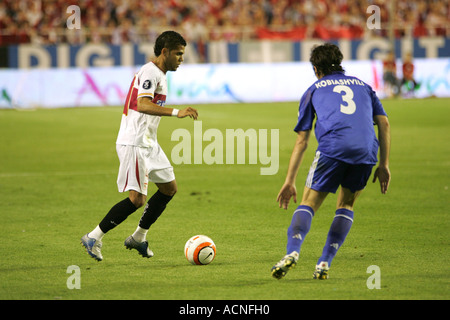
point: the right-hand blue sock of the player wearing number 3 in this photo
(339, 229)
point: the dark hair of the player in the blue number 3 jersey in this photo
(326, 58)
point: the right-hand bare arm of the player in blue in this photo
(384, 136)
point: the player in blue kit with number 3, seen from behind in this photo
(346, 109)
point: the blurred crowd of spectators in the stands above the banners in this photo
(124, 21)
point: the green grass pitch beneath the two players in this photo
(58, 179)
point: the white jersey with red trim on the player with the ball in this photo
(136, 128)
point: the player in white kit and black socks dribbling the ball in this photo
(141, 158)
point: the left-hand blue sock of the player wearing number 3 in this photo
(300, 225)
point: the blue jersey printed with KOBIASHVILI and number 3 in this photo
(344, 107)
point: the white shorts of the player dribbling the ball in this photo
(138, 166)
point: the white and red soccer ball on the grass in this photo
(200, 249)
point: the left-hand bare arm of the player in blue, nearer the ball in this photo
(288, 190)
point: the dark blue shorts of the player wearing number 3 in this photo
(327, 174)
